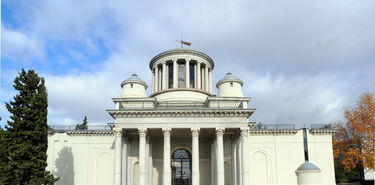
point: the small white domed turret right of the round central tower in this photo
(230, 86)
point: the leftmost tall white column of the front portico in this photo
(118, 162)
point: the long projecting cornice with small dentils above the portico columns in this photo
(181, 113)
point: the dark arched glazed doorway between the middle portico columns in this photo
(181, 167)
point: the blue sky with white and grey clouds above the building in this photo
(302, 62)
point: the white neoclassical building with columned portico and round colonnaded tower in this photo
(182, 134)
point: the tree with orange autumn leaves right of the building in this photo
(353, 144)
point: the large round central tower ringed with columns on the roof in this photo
(181, 75)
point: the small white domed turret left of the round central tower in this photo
(133, 87)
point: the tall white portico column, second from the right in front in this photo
(220, 156)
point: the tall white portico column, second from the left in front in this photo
(141, 156)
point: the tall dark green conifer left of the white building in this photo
(25, 138)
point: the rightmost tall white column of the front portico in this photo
(245, 155)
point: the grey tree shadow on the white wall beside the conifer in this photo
(64, 167)
